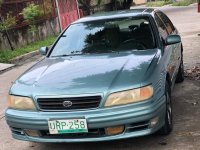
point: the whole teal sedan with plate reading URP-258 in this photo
(108, 76)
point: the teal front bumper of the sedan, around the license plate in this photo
(135, 118)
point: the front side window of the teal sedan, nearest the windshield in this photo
(161, 27)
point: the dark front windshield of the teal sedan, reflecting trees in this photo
(105, 36)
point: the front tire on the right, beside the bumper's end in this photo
(168, 126)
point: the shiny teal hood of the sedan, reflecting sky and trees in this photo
(85, 74)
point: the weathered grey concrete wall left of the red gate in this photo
(21, 36)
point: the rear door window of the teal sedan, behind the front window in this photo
(167, 22)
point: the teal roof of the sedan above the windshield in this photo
(117, 14)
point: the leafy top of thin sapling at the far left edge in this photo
(7, 22)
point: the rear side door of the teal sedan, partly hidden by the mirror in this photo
(174, 48)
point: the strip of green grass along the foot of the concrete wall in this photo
(7, 55)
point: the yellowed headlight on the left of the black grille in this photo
(21, 103)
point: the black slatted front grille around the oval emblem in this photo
(50, 104)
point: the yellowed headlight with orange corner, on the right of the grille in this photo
(129, 96)
